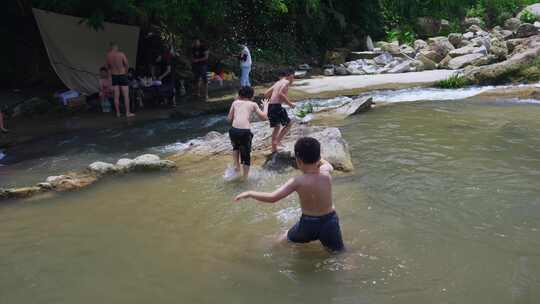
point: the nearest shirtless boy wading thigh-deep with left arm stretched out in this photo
(319, 220)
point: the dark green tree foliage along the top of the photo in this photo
(281, 29)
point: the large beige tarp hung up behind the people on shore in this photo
(77, 51)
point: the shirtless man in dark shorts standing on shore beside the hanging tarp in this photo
(118, 66)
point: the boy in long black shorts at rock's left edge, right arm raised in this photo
(240, 133)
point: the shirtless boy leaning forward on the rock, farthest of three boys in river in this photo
(277, 115)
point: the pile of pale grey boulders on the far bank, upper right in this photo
(512, 46)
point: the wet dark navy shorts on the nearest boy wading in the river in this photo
(323, 228)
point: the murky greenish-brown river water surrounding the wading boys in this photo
(443, 207)
